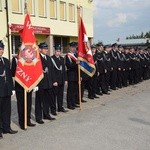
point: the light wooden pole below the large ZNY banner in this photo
(25, 109)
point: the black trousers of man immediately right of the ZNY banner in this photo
(43, 101)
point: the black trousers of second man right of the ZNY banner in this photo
(58, 96)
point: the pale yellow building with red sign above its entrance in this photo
(53, 21)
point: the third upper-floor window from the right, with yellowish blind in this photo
(52, 6)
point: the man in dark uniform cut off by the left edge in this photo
(6, 88)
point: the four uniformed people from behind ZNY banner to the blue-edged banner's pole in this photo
(58, 71)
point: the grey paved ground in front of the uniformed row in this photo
(120, 121)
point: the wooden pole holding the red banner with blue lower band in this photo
(79, 71)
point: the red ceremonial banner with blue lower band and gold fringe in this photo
(84, 52)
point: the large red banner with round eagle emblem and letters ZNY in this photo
(29, 70)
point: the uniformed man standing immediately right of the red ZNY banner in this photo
(45, 95)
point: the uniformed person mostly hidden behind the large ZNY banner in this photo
(20, 97)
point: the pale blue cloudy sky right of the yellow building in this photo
(115, 19)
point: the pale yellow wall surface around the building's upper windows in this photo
(57, 26)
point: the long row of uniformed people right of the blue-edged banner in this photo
(117, 67)
